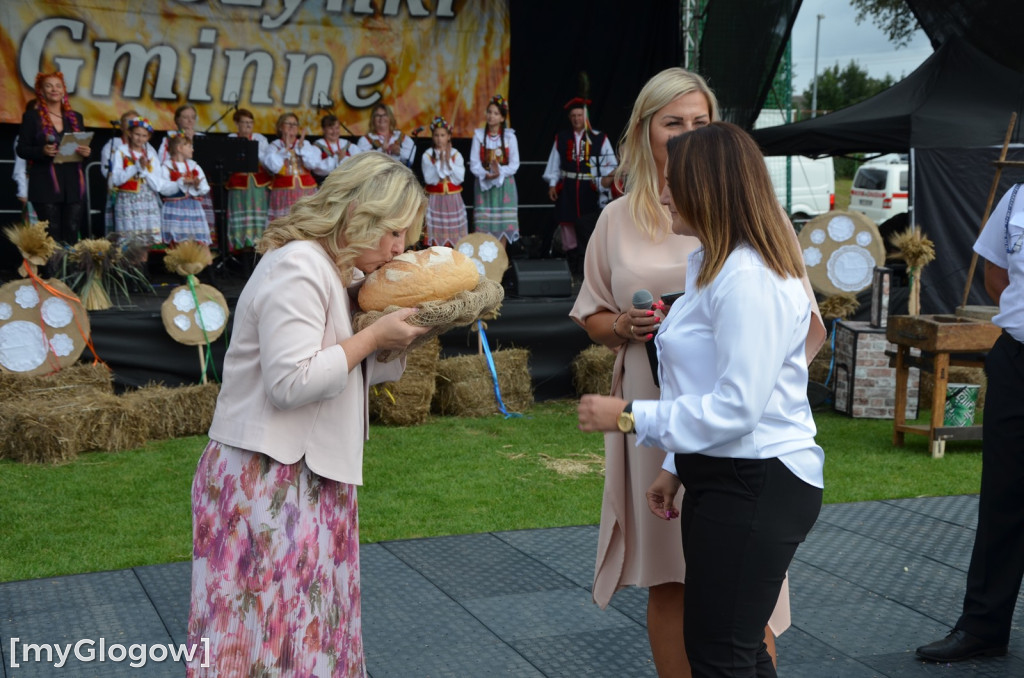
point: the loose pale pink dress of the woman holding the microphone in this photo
(634, 547)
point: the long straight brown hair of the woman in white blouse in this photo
(721, 189)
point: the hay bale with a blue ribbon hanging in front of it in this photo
(465, 388)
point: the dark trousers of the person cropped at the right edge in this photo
(994, 579)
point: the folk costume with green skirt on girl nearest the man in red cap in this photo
(496, 209)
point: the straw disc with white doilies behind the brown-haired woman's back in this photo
(841, 251)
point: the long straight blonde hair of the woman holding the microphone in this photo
(637, 166)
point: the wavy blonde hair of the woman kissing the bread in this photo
(366, 198)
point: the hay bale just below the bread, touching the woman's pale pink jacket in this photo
(407, 402)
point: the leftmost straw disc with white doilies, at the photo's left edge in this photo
(40, 332)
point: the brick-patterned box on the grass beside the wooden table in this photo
(866, 386)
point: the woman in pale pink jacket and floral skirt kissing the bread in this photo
(276, 540)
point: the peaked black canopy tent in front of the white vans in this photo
(952, 115)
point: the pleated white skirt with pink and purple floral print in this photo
(276, 570)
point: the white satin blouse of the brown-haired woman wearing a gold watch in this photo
(734, 371)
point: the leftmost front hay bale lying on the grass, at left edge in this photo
(52, 433)
